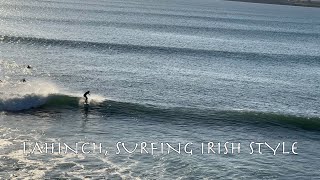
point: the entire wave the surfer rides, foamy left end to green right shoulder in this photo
(191, 116)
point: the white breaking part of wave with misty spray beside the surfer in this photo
(34, 94)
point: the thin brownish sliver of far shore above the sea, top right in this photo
(283, 2)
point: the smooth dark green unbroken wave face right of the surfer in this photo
(207, 117)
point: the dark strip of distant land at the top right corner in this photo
(308, 3)
